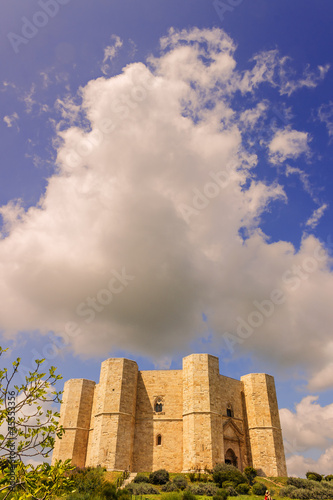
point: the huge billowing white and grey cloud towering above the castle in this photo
(154, 186)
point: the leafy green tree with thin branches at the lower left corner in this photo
(30, 432)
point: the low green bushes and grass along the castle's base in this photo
(223, 482)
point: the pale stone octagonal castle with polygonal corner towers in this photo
(179, 420)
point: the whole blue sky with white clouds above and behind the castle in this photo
(171, 162)
